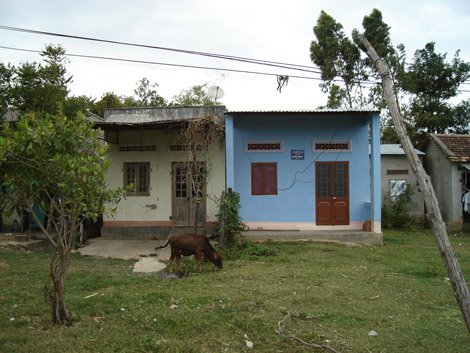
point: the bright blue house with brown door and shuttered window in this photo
(307, 173)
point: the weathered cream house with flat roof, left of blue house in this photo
(147, 149)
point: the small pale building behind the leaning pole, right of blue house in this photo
(396, 175)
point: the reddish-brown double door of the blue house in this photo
(332, 194)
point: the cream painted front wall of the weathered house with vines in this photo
(157, 206)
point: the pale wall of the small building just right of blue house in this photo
(400, 162)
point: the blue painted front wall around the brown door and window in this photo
(295, 201)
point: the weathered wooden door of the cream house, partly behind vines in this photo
(188, 197)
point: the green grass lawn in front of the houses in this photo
(336, 294)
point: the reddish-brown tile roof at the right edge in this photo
(455, 147)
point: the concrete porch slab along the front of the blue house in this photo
(358, 237)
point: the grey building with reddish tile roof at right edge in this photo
(448, 164)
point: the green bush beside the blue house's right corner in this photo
(396, 212)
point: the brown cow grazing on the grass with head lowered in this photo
(192, 244)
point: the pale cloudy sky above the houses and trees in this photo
(269, 30)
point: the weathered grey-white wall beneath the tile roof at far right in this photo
(445, 178)
